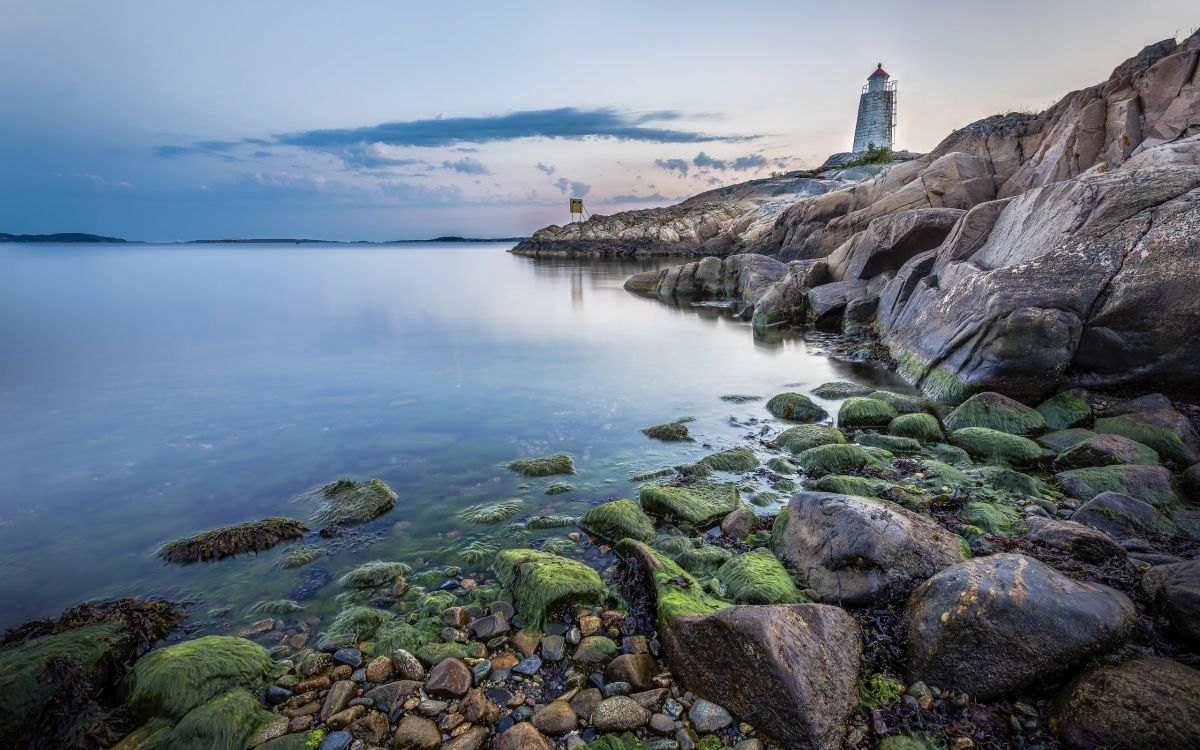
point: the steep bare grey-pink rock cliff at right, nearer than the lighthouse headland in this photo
(1024, 254)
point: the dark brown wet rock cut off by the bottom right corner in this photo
(1144, 703)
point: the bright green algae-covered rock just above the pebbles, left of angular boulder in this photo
(544, 584)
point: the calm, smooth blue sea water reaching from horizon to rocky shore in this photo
(149, 393)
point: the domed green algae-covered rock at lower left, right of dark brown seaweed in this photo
(171, 682)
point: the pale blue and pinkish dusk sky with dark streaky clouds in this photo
(379, 121)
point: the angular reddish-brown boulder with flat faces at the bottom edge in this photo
(795, 668)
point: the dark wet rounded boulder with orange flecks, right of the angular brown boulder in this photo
(998, 625)
